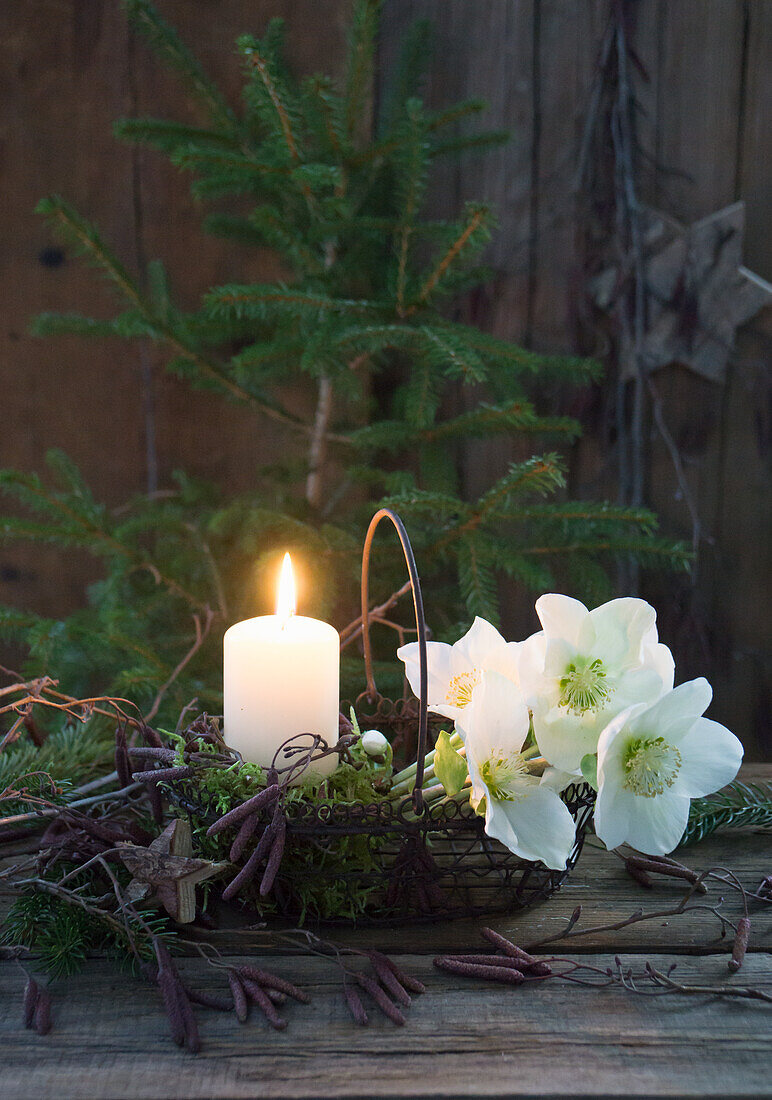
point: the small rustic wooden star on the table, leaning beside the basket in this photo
(168, 871)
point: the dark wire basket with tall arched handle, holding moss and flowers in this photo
(409, 861)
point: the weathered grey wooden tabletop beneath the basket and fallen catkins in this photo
(469, 1039)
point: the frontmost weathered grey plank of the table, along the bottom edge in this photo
(464, 1039)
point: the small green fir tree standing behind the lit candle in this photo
(296, 170)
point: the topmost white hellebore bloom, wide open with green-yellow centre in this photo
(587, 667)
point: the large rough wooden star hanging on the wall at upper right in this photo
(698, 292)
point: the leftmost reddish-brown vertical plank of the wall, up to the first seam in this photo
(63, 81)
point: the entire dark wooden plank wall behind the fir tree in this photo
(71, 68)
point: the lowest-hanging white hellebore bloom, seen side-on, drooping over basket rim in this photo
(527, 817)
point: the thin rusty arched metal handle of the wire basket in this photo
(421, 626)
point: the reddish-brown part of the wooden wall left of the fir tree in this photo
(71, 69)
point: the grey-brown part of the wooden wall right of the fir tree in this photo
(708, 120)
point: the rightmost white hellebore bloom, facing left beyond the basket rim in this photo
(653, 761)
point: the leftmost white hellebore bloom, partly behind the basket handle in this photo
(455, 672)
